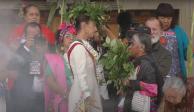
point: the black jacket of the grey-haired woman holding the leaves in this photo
(148, 73)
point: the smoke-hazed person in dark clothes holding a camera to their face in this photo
(26, 95)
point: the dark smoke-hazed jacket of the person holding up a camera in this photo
(22, 96)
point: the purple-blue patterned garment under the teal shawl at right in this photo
(172, 46)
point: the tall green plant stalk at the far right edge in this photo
(190, 51)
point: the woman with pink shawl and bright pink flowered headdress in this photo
(58, 76)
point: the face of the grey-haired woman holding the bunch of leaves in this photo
(135, 46)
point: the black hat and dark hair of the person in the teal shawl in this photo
(166, 10)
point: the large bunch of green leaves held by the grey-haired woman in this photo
(116, 62)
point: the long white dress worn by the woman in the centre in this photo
(84, 83)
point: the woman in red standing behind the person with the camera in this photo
(31, 13)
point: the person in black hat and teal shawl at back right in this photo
(177, 37)
